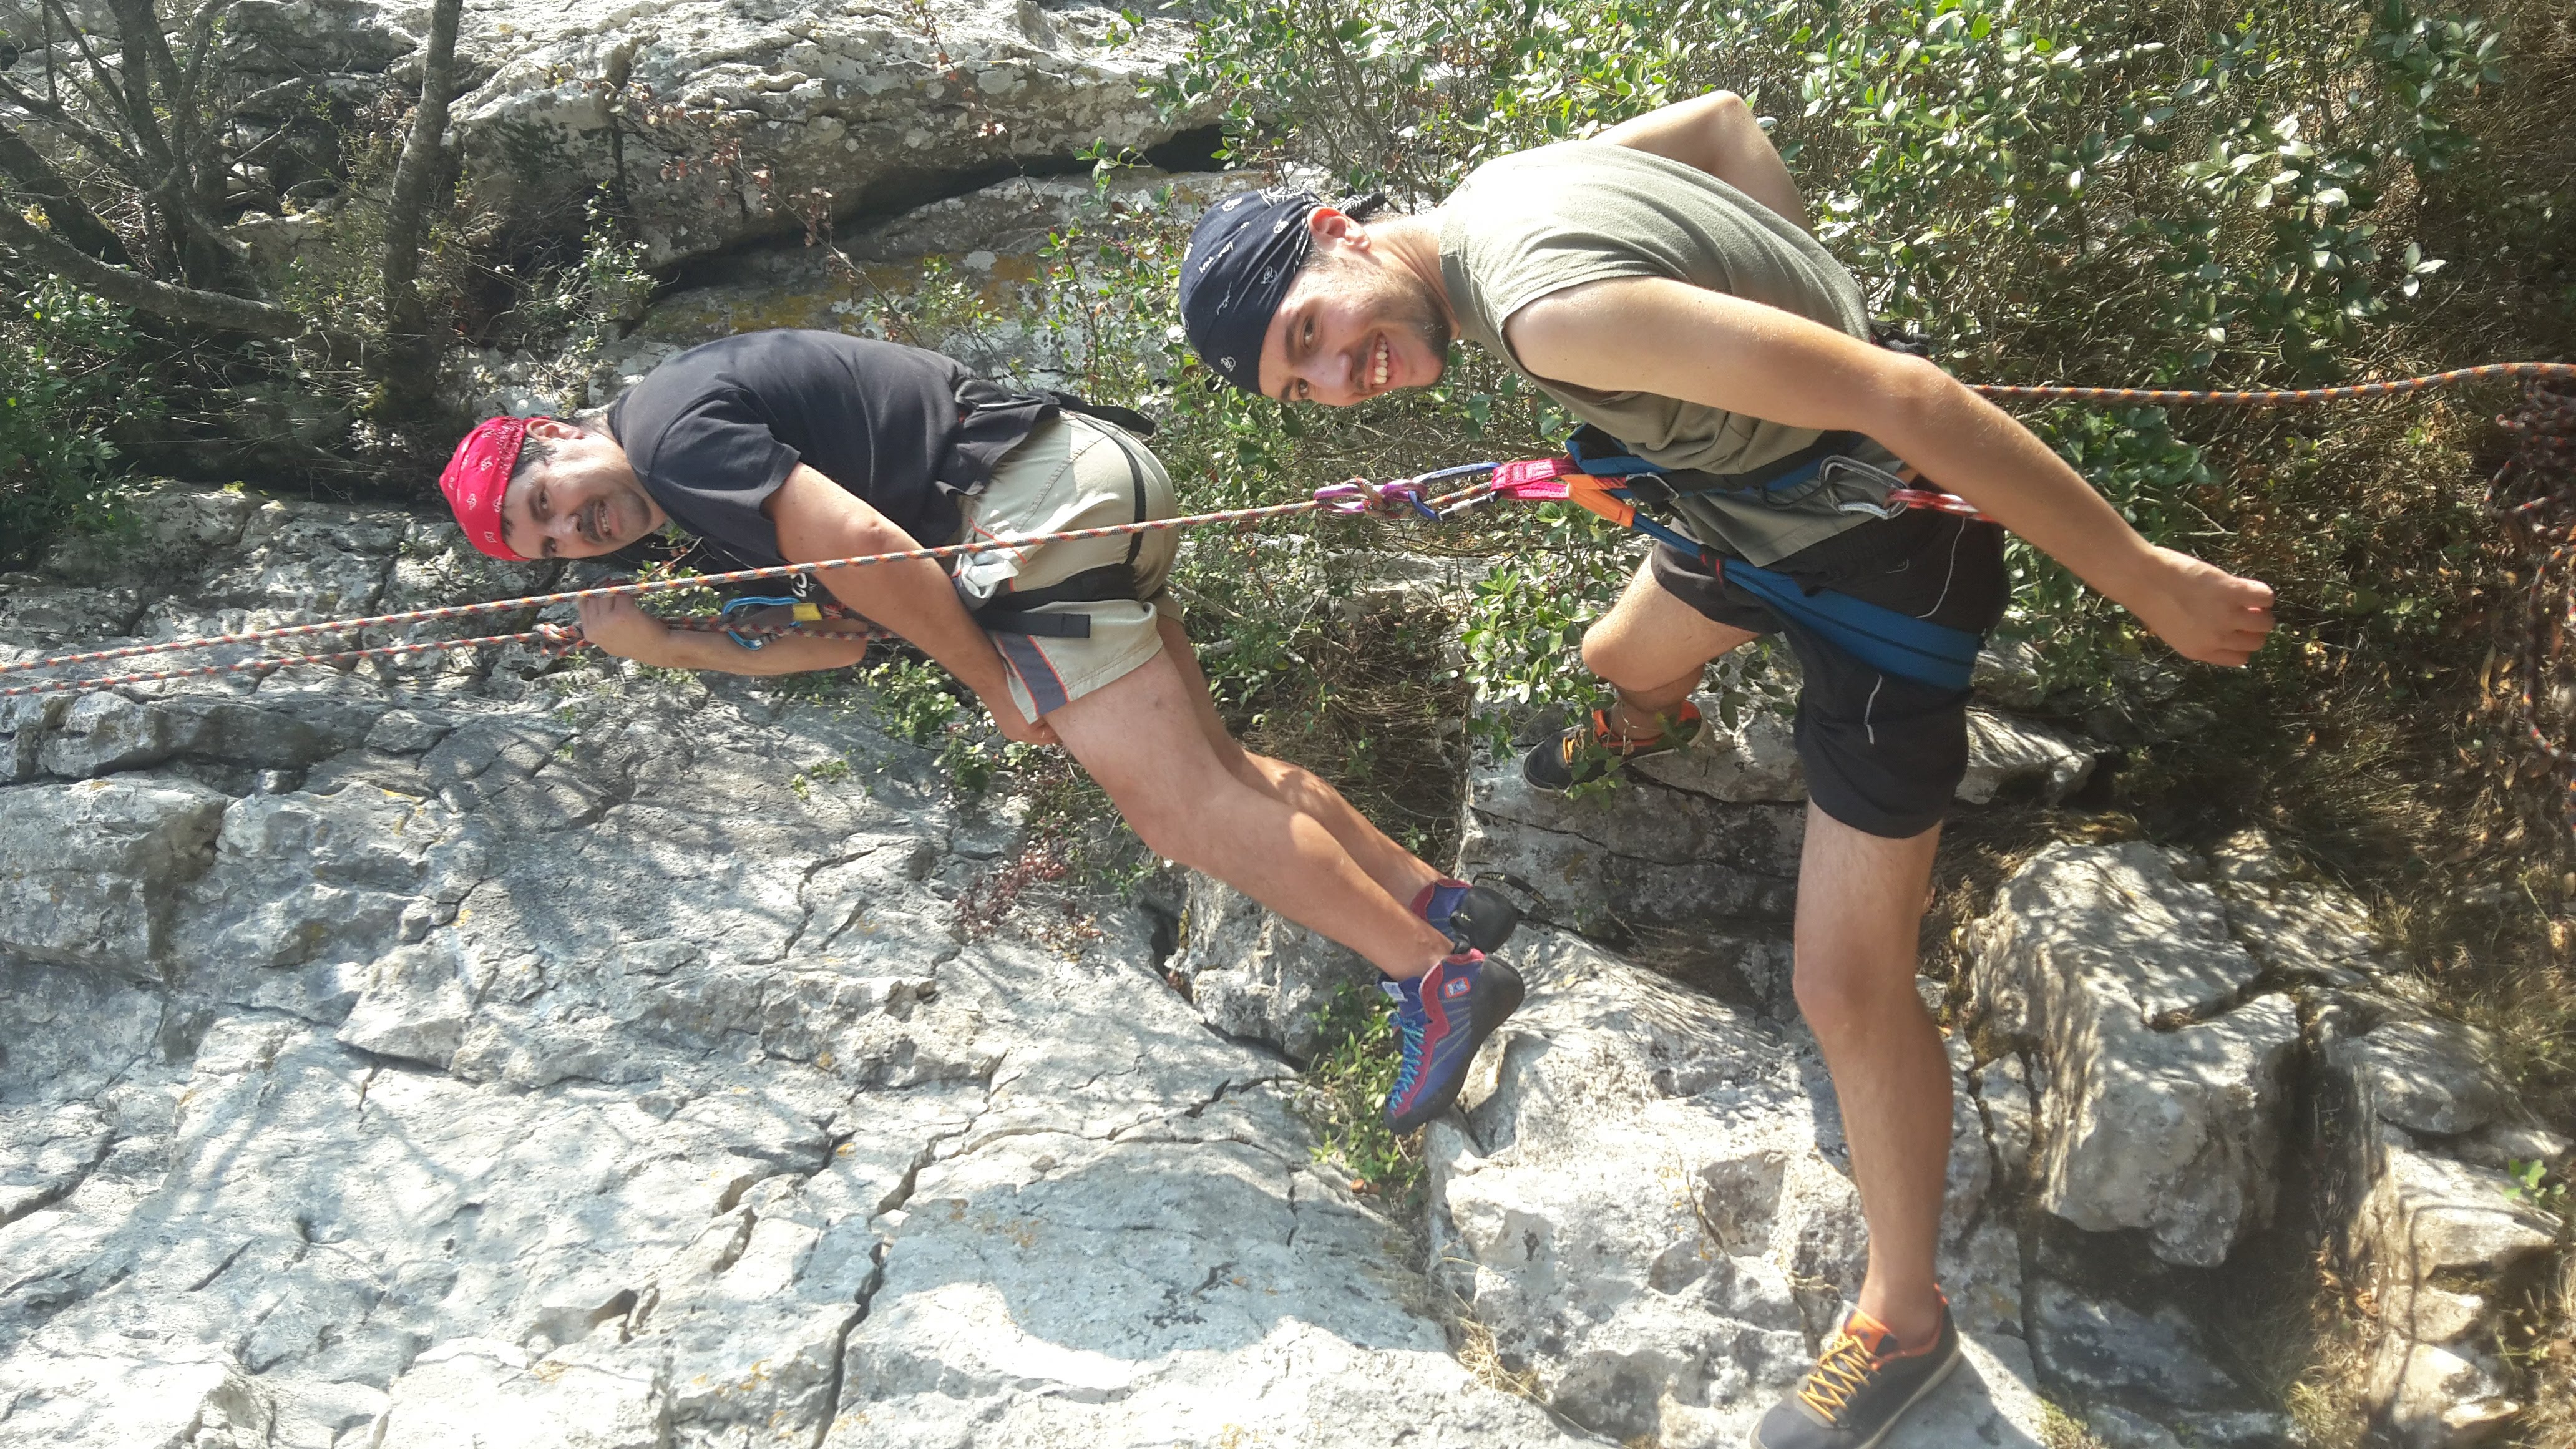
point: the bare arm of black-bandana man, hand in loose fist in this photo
(1725, 352)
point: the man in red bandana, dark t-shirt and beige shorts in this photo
(800, 447)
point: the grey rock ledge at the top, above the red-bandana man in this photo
(723, 122)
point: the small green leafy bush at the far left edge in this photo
(66, 378)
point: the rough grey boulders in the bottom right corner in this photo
(2168, 1004)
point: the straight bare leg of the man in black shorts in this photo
(1861, 904)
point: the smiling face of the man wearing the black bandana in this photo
(1354, 326)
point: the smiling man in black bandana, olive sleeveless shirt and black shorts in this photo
(1660, 282)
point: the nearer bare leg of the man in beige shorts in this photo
(1145, 744)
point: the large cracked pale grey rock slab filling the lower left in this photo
(483, 1053)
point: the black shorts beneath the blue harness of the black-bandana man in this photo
(1882, 752)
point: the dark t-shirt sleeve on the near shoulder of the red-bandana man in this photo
(712, 463)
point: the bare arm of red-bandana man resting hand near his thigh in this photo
(818, 520)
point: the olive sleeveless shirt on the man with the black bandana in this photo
(1575, 213)
